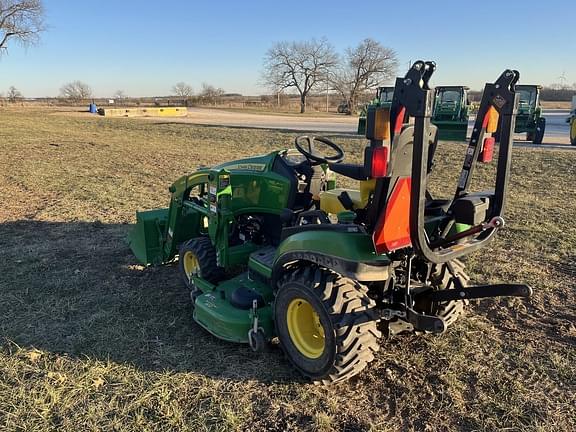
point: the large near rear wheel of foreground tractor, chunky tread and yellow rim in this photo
(325, 324)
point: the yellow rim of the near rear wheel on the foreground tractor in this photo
(305, 328)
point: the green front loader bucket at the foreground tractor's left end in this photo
(147, 236)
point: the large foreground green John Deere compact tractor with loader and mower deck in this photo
(270, 249)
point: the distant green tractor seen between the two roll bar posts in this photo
(450, 113)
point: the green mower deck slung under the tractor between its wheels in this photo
(216, 312)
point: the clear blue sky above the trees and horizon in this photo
(145, 47)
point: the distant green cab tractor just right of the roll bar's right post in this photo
(529, 119)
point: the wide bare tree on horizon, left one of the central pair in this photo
(300, 65)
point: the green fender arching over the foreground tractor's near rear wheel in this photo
(349, 254)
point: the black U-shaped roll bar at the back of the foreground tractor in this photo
(414, 98)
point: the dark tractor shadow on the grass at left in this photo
(76, 289)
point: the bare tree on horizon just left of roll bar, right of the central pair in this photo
(364, 68)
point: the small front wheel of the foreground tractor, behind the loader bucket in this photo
(197, 257)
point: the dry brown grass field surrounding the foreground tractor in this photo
(90, 340)
